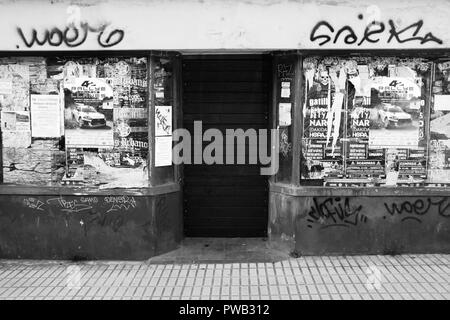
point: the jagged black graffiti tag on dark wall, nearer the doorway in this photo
(334, 212)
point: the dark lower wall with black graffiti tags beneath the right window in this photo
(361, 225)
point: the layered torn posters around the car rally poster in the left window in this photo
(106, 122)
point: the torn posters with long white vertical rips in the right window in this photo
(323, 123)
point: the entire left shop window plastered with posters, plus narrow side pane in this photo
(78, 121)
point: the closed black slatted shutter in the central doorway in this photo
(226, 92)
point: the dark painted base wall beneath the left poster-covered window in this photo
(89, 227)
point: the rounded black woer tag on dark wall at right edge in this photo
(414, 210)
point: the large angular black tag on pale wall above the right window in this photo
(325, 32)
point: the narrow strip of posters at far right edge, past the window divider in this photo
(439, 149)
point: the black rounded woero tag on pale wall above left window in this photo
(72, 36)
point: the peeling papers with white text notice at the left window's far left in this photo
(30, 115)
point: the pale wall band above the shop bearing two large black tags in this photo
(223, 25)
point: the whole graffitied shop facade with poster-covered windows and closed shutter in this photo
(353, 98)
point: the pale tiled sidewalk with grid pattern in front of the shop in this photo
(359, 277)
